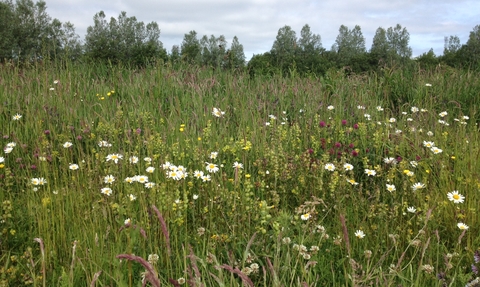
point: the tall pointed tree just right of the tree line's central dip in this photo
(283, 49)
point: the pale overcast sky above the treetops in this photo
(256, 22)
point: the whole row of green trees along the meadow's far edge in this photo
(28, 33)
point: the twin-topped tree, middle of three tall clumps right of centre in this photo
(349, 44)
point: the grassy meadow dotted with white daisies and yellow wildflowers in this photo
(168, 176)
